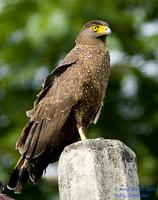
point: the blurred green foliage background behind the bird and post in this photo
(35, 35)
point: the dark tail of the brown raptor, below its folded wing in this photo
(26, 168)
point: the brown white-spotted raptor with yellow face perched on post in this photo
(71, 99)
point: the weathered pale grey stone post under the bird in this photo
(98, 169)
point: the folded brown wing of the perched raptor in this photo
(50, 112)
